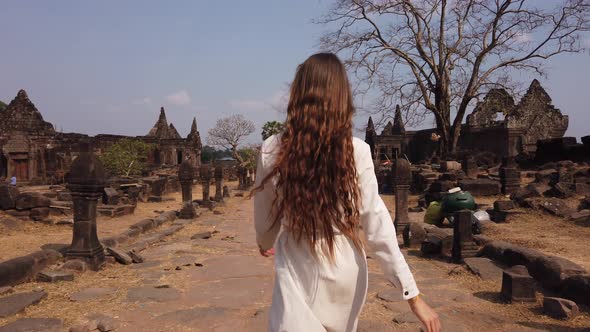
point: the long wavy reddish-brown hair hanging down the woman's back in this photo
(315, 168)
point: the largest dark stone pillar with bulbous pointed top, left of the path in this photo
(86, 183)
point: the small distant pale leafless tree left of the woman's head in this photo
(229, 132)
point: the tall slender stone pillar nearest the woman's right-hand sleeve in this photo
(402, 178)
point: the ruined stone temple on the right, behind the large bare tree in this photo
(497, 125)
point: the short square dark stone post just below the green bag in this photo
(463, 244)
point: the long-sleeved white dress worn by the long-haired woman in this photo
(311, 294)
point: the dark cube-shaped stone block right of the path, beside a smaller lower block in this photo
(518, 286)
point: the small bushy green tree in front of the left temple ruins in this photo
(126, 157)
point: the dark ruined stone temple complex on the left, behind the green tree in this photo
(33, 151)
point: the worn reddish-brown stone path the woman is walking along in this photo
(221, 283)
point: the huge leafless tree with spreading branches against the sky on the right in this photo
(438, 56)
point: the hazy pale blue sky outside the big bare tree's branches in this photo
(107, 66)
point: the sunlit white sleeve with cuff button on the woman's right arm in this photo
(380, 231)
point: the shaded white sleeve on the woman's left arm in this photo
(266, 233)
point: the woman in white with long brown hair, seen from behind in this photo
(315, 188)
